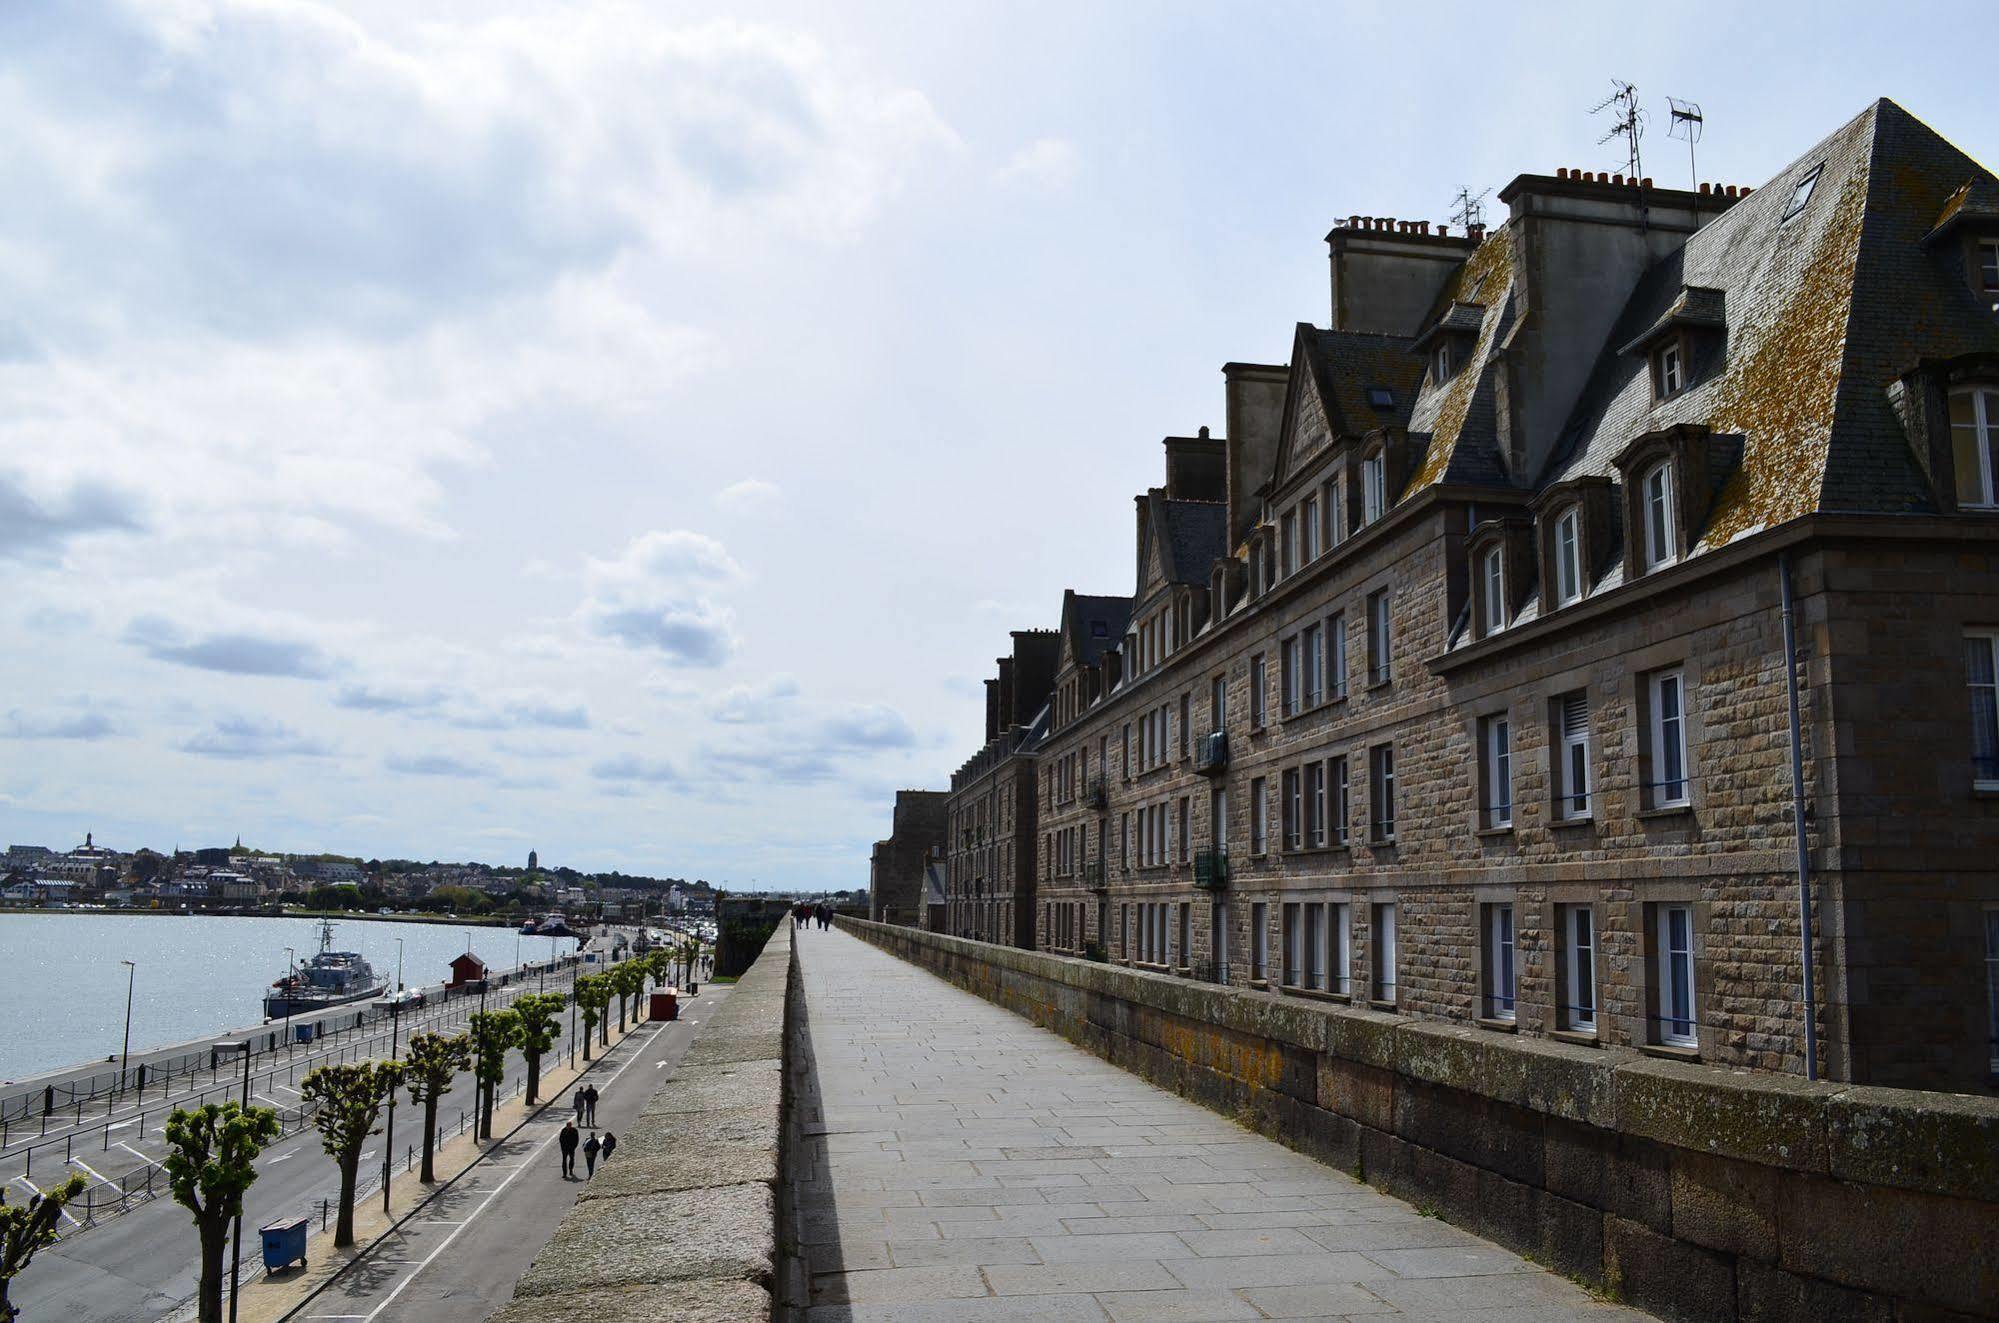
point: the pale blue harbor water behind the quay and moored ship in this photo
(197, 974)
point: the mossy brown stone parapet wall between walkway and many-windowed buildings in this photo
(1688, 1190)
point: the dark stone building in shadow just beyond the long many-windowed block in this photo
(993, 808)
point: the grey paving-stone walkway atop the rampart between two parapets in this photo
(961, 1164)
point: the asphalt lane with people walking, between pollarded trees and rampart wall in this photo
(459, 1258)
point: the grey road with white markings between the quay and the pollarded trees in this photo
(143, 1264)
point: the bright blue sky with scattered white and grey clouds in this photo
(629, 431)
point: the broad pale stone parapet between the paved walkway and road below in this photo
(683, 1228)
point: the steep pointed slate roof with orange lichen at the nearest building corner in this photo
(1826, 309)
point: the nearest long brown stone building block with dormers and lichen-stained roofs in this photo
(1458, 678)
